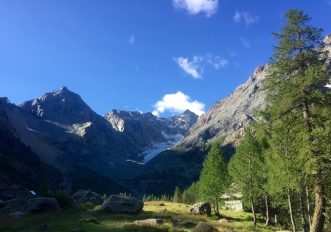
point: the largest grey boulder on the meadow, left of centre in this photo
(121, 204)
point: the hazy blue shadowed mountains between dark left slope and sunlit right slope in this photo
(67, 135)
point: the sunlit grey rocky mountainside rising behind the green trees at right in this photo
(227, 118)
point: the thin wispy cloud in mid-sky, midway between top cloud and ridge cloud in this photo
(195, 66)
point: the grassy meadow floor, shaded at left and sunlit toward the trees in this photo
(82, 220)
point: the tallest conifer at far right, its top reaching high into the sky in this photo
(295, 87)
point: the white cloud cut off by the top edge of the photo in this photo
(209, 7)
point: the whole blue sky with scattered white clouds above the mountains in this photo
(147, 55)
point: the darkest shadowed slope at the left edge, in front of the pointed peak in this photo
(18, 164)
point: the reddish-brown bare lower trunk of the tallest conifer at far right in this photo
(317, 224)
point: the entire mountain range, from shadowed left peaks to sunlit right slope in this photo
(57, 139)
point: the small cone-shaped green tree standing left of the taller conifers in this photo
(214, 177)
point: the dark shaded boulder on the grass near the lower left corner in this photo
(43, 205)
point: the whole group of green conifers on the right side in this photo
(282, 165)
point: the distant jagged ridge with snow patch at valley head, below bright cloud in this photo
(151, 134)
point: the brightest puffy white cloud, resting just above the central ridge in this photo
(178, 103)
